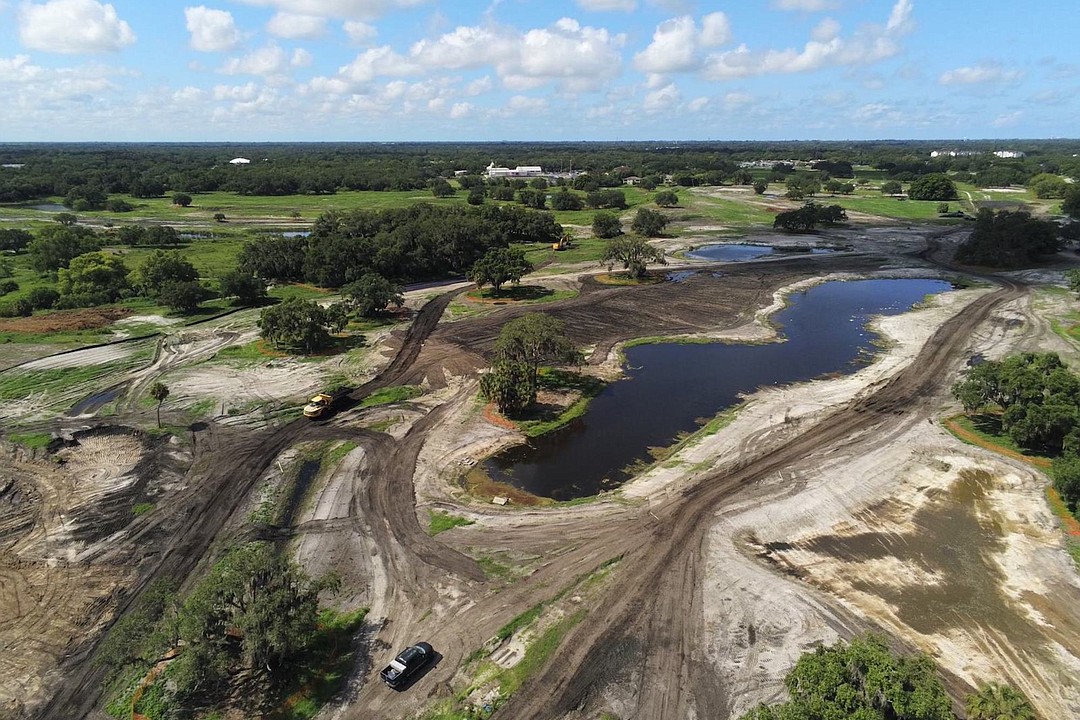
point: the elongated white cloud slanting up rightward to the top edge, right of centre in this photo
(870, 45)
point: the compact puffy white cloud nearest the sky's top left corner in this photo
(73, 28)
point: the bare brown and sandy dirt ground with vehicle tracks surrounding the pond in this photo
(822, 510)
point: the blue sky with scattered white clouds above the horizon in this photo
(465, 71)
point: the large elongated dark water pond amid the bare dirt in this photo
(669, 386)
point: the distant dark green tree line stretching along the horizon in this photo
(88, 175)
